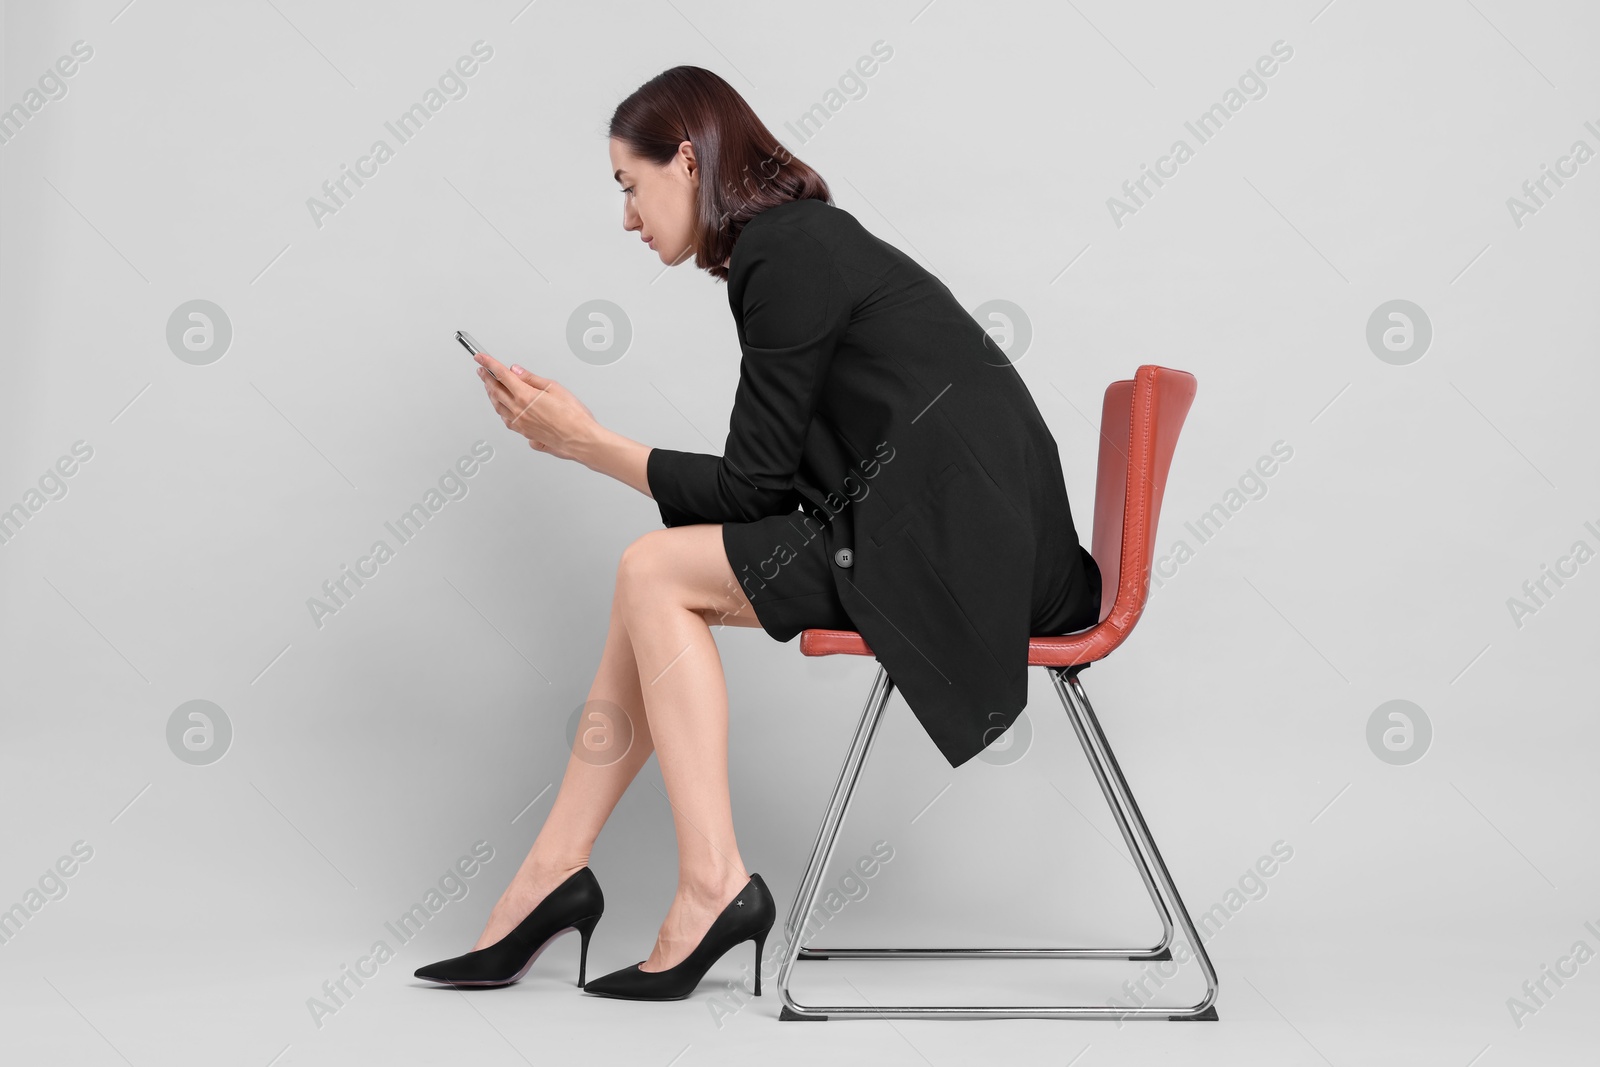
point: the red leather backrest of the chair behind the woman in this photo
(1140, 426)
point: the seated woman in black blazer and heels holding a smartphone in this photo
(886, 473)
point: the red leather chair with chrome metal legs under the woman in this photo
(1140, 426)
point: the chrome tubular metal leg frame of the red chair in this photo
(1130, 821)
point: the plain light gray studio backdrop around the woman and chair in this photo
(430, 713)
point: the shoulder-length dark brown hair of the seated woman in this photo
(743, 169)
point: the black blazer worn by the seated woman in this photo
(870, 399)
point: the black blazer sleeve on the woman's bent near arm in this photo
(791, 306)
